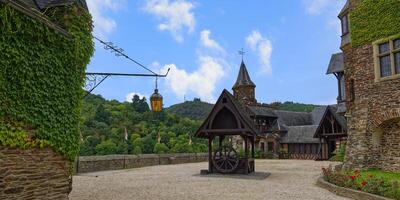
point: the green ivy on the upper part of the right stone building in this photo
(373, 20)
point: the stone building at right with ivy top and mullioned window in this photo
(372, 75)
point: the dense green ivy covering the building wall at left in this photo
(41, 77)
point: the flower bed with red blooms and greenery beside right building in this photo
(372, 181)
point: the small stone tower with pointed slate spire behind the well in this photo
(244, 88)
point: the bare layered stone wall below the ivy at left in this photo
(33, 174)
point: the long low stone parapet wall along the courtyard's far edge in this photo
(86, 164)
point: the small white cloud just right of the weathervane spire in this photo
(263, 48)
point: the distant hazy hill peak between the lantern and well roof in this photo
(195, 109)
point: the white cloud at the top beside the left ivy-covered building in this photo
(103, 24)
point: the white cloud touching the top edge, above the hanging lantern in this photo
(175, 16)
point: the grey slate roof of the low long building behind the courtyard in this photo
(300, 134)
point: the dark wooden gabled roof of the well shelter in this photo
(227, 117)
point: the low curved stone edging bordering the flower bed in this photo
(346, 192)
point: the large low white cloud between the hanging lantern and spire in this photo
(201, 82)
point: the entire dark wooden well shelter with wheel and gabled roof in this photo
(228, 118)
